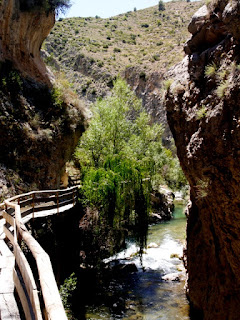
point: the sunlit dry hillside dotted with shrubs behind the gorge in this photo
(139, 45)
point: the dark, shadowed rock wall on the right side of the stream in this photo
(204, 117)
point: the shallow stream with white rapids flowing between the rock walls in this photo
(144, 294)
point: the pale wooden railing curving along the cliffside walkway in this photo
(39, 297)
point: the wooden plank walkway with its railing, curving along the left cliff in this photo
(39, 295)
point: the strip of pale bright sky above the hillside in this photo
(106, 8)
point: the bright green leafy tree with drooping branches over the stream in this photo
(122, 160)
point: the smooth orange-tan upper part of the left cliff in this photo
(21, 36)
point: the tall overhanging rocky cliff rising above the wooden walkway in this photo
(41, 121)
